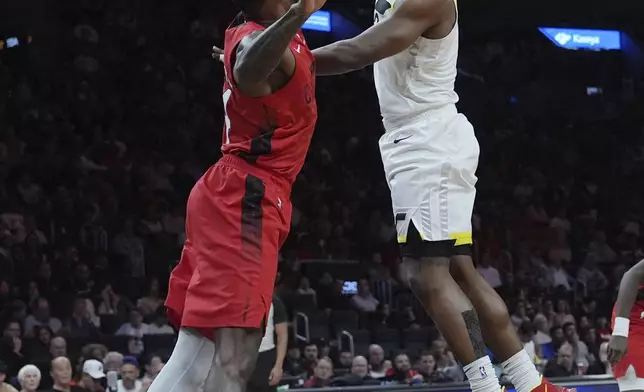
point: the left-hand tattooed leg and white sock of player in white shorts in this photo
(430, 280)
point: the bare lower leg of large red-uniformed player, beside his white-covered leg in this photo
(235, 358)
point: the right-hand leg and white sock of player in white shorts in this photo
(498, 331)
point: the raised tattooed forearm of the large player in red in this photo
(259, 59)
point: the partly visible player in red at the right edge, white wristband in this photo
(626, 345)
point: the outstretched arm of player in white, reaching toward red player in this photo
(384, 39)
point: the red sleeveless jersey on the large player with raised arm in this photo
(273, 132)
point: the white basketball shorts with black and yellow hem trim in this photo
(430, 164)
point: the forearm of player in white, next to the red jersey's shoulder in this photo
(338, 58)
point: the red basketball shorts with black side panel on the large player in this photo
(237, 218)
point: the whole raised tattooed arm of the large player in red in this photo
(259, 54)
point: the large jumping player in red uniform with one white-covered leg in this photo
(239, 212)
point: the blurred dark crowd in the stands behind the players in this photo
(100, 146)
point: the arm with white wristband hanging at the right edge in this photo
(626, 297)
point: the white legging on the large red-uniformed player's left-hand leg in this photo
(188, 365)
